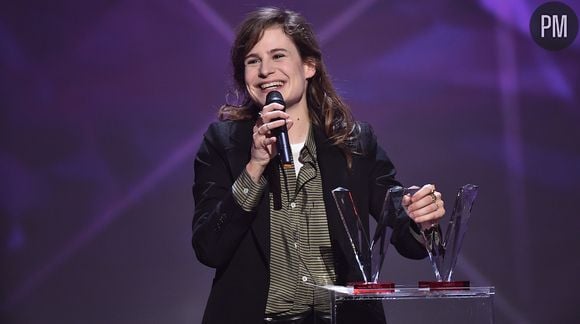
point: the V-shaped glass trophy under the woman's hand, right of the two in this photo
(444, 251)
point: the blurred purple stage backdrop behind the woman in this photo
(103, 105)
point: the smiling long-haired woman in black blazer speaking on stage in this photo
(273, 232)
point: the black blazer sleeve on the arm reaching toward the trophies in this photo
(382, 177)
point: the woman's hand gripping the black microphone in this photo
(263, 148)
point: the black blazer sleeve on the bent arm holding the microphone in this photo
(219, 222)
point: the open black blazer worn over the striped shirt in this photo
(237, 243)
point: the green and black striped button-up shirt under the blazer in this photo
(300, 250)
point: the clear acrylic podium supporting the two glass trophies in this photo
(410, 305)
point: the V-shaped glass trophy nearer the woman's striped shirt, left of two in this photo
(369, 252)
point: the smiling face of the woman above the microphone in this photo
(275, 64)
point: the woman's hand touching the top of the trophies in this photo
(425, 207)
